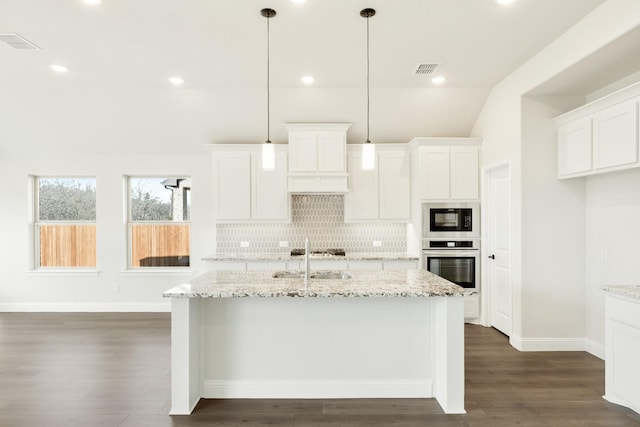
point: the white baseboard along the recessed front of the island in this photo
(316, 389)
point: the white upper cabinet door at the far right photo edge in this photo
(615, 135)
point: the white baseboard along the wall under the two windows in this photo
(86, 307)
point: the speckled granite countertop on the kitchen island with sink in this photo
(240, 284)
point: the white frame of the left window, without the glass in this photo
(35, 224)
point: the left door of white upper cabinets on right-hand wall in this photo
(574, 147)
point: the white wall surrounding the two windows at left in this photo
(24, 291)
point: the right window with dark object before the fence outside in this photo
(159, 213)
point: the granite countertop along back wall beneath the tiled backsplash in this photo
(350, 256)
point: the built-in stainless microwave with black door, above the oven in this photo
(450, 220)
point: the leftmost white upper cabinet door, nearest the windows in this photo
(232, 185)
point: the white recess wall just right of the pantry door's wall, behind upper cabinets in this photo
(553, 241)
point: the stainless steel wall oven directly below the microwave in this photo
(456, 260)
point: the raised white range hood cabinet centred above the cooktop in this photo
(317, 157)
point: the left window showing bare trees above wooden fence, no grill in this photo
(65, 222)
